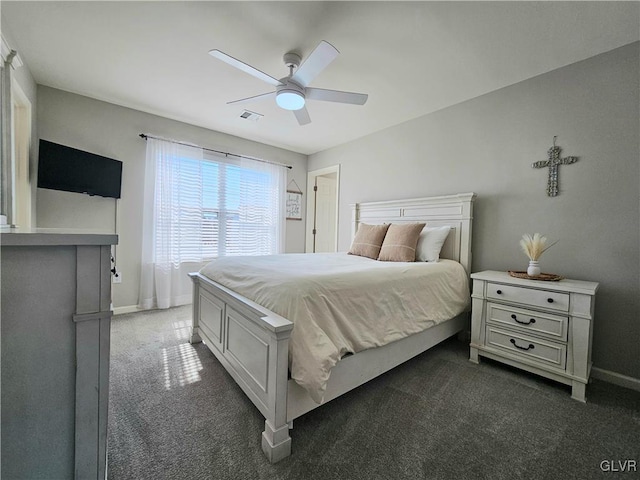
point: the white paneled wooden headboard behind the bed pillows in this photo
(453, 210)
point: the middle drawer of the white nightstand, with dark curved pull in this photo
(544, 324)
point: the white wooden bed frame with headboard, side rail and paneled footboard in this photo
(252, 343)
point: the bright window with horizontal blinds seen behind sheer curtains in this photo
(220, 208)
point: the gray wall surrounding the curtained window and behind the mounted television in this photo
(112, 131)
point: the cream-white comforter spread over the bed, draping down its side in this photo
(342, 303)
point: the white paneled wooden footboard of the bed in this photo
(252, 343)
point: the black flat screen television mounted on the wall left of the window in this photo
(72, 170)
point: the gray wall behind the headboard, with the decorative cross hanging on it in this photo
(486, 145)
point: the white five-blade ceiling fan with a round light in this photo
(292, 91)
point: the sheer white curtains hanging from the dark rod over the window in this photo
(198, 206)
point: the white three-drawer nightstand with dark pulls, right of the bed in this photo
(538, 326)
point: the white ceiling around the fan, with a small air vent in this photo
(411, 58)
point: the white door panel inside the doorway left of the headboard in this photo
(325, 230)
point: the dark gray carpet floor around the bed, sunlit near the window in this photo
(176, 414)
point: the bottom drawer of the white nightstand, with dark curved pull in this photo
(549, 353)
